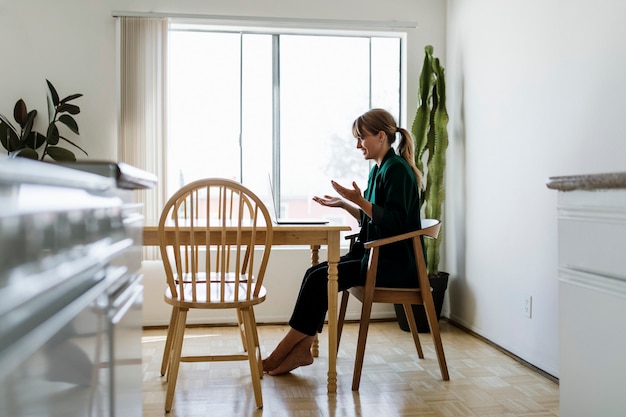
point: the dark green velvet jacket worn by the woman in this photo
(394, 193)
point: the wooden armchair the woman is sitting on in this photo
(369, 294)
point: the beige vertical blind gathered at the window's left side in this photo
(143, 67)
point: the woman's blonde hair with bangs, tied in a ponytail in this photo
(380, 120)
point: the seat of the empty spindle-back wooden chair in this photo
(230, 298)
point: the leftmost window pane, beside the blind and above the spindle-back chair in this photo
(203, 107)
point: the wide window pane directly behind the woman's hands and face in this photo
(324, 84)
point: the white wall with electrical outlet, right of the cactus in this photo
(537, 89)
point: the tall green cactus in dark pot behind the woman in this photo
(430, 132)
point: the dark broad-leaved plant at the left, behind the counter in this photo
(26, 142)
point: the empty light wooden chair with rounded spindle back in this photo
(223, 237)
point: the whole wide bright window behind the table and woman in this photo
(243, 104)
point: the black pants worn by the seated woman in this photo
(312, 303)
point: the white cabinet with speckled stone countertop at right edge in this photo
(592, 294)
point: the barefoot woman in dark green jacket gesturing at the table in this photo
(389, 206)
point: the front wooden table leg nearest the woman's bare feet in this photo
(333, 290)
